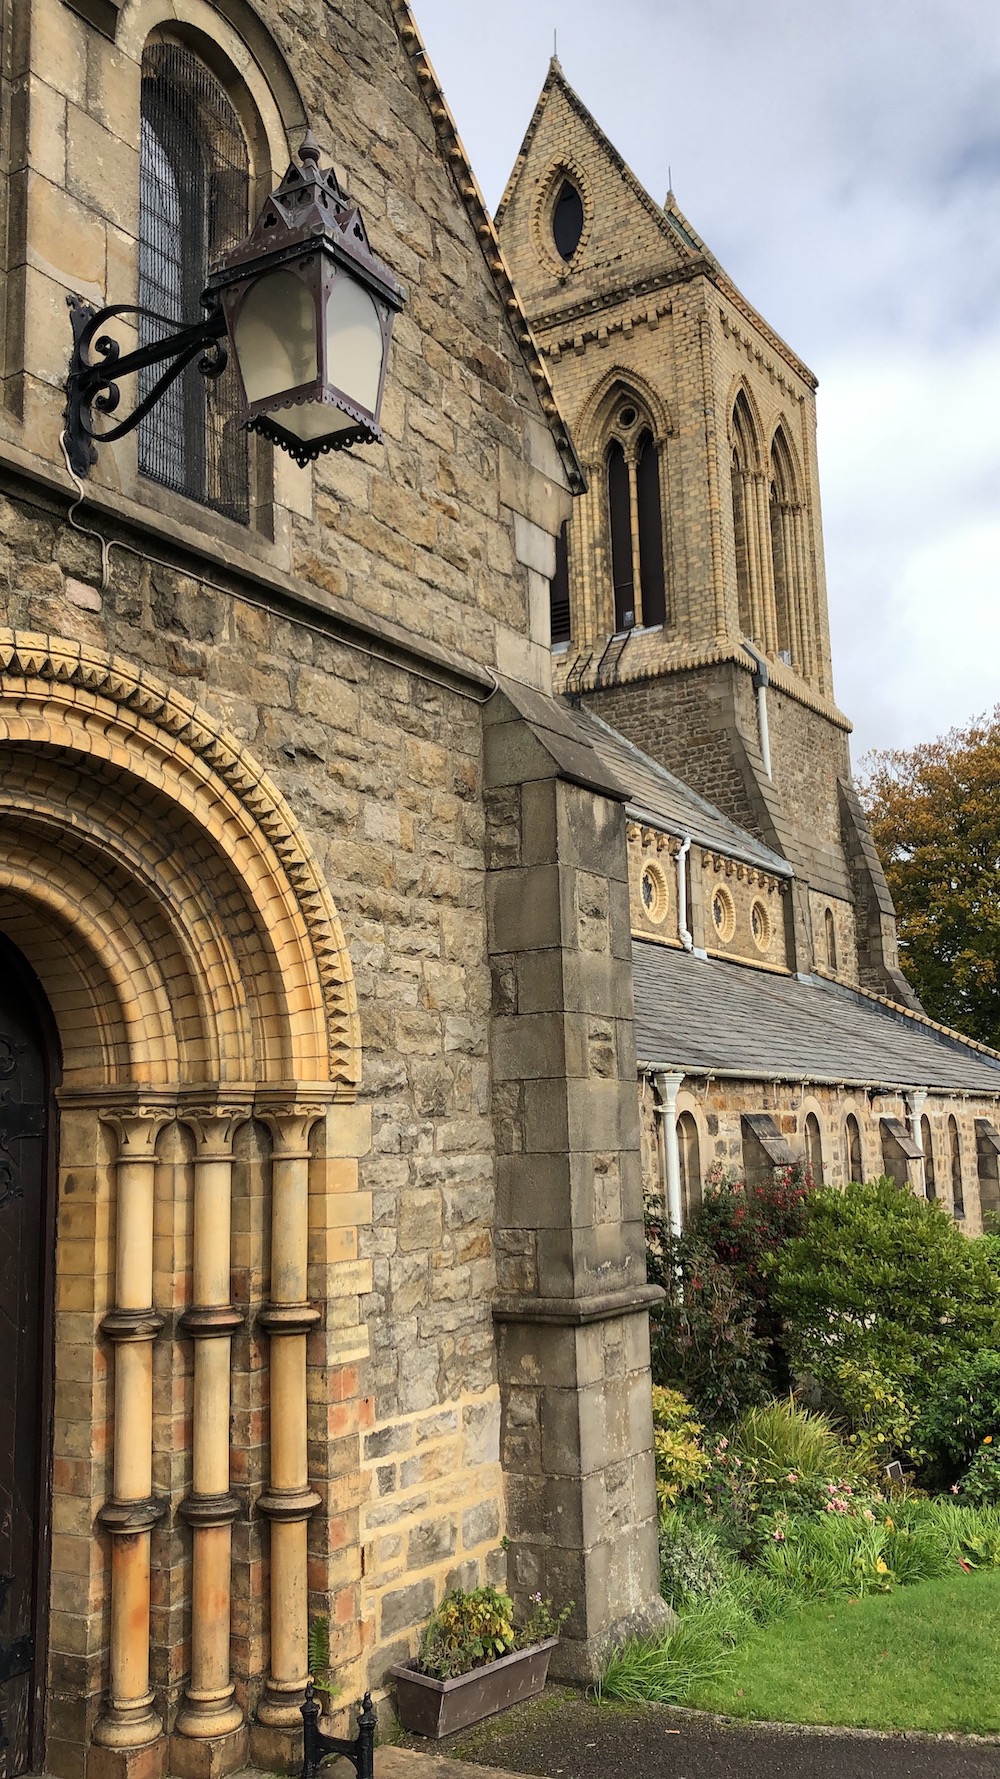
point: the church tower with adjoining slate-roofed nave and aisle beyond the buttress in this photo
(691, 641)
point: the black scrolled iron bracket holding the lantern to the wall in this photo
(97, 366)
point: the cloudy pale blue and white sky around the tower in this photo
(843, 159)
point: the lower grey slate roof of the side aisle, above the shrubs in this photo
(709, 1017)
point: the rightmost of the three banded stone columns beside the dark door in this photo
(289, 1502)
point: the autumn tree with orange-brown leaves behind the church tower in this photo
(935, 817)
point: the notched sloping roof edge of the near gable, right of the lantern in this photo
(483, 225)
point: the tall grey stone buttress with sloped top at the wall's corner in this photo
(572, 1310)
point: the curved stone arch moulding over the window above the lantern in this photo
(239, 49)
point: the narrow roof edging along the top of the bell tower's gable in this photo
(690, 250)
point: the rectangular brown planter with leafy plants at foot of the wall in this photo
(474, 1661)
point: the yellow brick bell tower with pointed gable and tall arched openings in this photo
(690, 599)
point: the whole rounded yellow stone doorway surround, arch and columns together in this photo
(161, 890)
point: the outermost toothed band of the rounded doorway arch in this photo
(77, 675)
